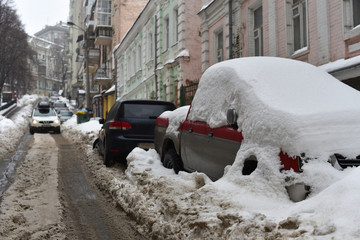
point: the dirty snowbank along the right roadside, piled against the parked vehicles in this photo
(191, 206)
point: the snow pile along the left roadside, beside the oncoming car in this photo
(12, 130)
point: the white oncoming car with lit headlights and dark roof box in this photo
(44, 119)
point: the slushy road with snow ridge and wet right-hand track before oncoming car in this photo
(53, 197)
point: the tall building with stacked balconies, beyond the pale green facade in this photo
(105, 22)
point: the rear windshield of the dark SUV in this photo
(151, 111)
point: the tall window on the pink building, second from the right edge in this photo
(299, 24)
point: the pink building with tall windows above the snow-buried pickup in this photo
(323, 33)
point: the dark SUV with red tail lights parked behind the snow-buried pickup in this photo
(129, 124)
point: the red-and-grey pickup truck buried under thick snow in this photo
(263, 111)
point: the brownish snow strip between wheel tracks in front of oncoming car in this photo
(30, 208)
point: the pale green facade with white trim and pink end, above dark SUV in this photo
(160, 53)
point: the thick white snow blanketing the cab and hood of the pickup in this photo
(281, 102)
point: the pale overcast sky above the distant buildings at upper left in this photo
(35, 14)
